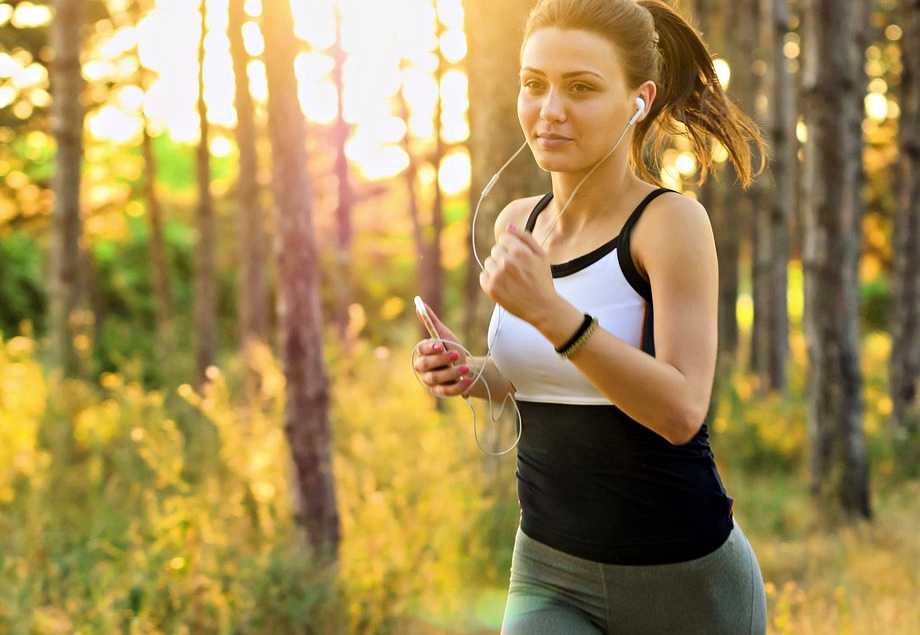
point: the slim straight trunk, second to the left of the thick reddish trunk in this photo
(205, 285)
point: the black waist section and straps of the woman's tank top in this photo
(596, 484)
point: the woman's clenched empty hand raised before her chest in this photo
(517, 275)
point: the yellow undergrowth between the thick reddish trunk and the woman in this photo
(411, 494)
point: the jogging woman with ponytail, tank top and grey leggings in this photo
(605, 333)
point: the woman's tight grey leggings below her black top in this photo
(553, 593)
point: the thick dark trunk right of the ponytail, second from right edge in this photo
(833, 212)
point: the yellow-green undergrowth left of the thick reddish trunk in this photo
(107, 525)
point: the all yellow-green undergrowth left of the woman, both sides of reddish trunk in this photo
(125, 509)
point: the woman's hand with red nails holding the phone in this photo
(440, 366)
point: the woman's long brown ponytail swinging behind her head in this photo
(691, 103)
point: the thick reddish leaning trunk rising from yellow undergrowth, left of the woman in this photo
(306, 412)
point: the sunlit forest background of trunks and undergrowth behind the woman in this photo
(213, 218)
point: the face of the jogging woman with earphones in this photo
(574, 101)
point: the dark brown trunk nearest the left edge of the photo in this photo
(66, 227)
